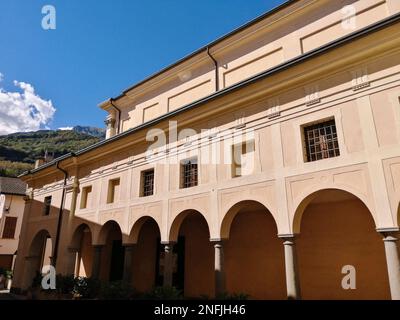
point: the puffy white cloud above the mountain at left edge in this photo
(23, 111)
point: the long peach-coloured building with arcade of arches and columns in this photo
(265, 163)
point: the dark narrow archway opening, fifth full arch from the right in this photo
(113, 253)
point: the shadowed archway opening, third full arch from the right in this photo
(193, 255)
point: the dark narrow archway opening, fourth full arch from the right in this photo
(147, 271)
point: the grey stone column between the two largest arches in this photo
(291, 269)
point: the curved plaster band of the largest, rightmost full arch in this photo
(302, 204)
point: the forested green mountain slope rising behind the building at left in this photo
(18, 151)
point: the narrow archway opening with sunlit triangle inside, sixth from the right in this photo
(82, 251)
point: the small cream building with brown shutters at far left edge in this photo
(12, 193)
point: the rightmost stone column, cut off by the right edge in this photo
(390, 239)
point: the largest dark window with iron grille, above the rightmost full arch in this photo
(321, 141)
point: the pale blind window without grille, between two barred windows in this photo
(243, 158)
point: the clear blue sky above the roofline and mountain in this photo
(100, 48)
